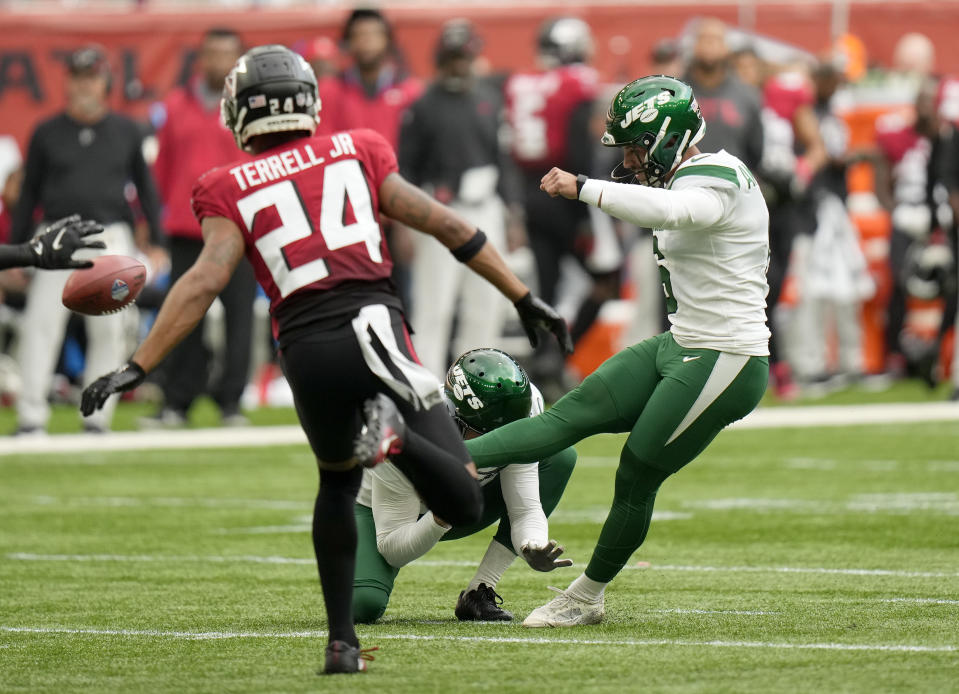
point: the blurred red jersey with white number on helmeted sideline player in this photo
(538, 109)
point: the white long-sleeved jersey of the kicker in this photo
(711, 230)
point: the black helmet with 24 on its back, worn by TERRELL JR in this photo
(271, 89)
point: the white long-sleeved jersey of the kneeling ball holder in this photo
(405, 528)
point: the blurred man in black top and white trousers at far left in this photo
(78, 161)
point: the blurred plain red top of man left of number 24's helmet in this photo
(192, 140)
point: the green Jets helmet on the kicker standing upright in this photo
(661, 115)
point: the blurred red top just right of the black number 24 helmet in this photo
(344, 104)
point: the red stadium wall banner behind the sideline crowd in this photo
(151, 49)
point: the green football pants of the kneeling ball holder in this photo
(373, 581)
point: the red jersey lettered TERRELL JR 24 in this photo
(309, 213)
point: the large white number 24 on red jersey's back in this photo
(342, 182)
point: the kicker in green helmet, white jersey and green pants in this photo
(674, 392)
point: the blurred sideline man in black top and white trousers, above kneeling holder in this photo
(449, 146)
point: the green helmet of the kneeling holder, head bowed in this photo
(486, 389)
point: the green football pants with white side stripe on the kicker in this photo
(672, 400)
